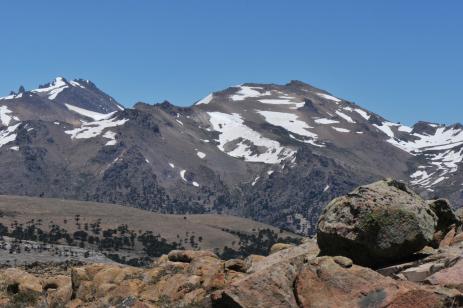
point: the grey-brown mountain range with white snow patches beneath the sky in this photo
(275, 153)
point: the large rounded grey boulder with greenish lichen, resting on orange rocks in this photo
(376, 224)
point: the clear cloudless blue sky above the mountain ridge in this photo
(401, 59)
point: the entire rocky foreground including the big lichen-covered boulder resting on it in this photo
(414, 259)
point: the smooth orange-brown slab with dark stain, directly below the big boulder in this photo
(325, 283)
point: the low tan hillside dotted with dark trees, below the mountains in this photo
(127, 232)
